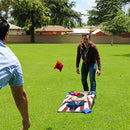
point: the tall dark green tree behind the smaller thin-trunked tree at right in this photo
(103, 10)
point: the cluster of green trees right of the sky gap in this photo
(110, 15)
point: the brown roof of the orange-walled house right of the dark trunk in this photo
(53, 28)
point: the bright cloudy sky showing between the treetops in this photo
(83, 5)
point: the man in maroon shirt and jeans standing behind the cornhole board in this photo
(90, 55)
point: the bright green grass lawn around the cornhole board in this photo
(46, 88)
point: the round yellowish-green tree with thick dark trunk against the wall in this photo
(32, 11)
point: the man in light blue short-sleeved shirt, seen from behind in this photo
(11, 72)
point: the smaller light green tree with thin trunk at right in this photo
(119, 24)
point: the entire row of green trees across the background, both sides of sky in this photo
(31, 14)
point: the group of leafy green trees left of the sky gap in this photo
(36, 13)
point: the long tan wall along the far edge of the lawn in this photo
(65, 39)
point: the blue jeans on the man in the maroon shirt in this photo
(91, 68)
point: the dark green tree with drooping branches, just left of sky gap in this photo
(61, 13)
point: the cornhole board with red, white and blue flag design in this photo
(73, 103)
